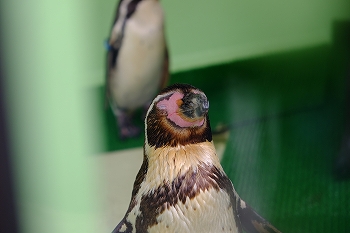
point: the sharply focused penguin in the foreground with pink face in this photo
(181, 186)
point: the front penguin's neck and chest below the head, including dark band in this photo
(189, 200)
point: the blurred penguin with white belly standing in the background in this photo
(137, 60)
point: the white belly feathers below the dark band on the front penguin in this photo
(210, 211)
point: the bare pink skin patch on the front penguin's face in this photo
(171, 107)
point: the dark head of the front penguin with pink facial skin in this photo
(178, 116)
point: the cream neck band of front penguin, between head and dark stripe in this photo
(165, 164)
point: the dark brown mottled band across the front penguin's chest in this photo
(188, 185)
